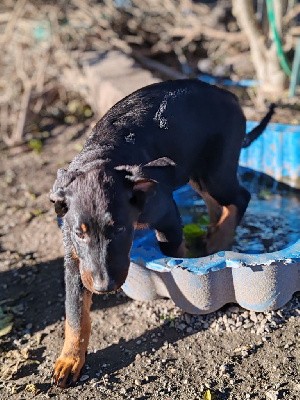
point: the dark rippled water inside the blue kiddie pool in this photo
(271, 222)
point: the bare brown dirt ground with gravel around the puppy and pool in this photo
(137, 350)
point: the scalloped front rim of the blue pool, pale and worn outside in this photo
(259, 282)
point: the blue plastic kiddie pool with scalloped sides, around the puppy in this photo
(258, 282)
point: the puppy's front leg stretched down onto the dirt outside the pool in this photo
(77, 326)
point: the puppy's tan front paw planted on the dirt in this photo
(67, 370)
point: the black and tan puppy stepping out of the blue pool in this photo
(147, 145)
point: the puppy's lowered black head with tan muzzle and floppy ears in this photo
(100, 207)
